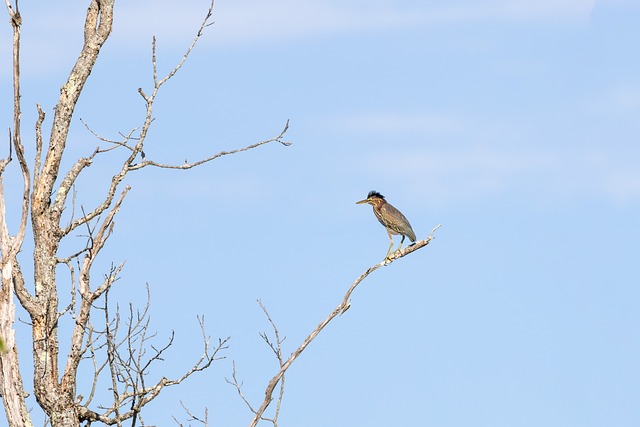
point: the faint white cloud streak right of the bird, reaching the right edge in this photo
(469, 173)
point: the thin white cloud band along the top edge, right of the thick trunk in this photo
(257, 21)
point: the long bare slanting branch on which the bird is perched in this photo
(341, 308)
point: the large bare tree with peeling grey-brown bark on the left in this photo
(118, 351)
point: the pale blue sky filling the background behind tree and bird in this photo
(514, 124)
